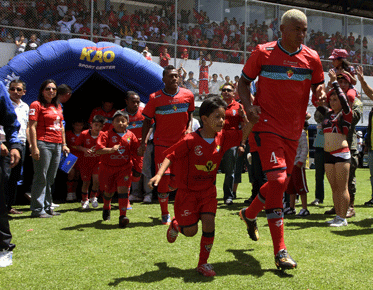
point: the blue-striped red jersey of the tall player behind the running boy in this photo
(171, 115)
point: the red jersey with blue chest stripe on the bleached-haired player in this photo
(283, 87)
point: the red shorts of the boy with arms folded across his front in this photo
(112, 177)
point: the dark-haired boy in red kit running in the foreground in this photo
(197, 157)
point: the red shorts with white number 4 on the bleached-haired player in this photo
(275, 152)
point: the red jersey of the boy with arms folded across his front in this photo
(126, 156)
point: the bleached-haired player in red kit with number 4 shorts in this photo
(287, 70)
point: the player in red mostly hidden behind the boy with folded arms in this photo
(136, 120)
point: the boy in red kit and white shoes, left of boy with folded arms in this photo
(89, 164)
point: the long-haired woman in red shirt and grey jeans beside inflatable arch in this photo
(47, 140)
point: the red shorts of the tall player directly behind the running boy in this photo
(168, 179)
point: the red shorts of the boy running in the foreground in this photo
(189, 205)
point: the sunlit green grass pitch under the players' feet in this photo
(77, 250)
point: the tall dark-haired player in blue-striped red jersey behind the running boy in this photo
(172, 109)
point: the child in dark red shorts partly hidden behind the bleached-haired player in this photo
(298, 181)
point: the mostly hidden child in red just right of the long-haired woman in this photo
(73, 176)
